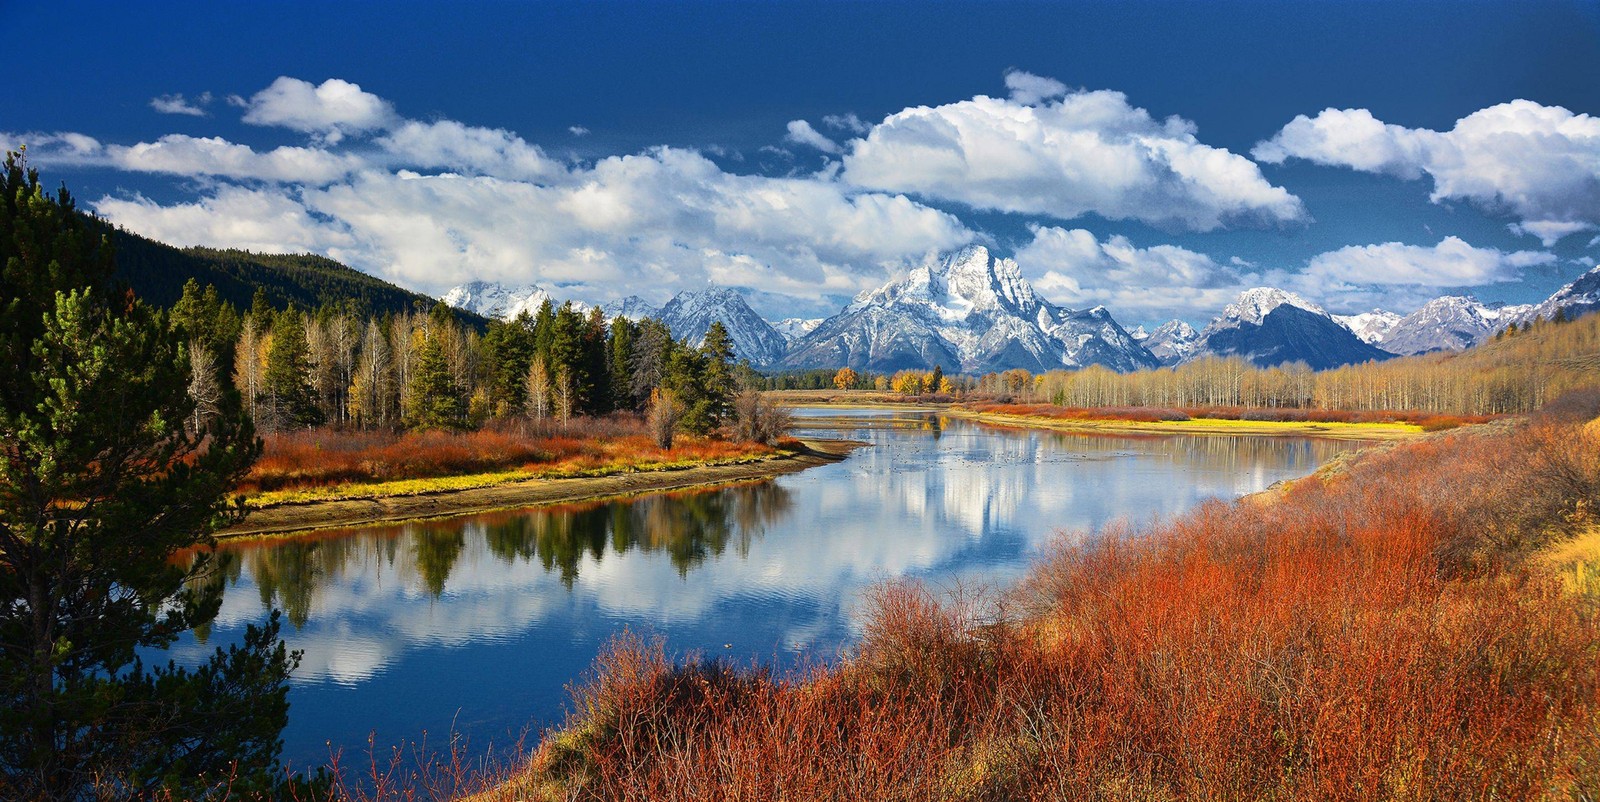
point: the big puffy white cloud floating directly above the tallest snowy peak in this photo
(1082, 153)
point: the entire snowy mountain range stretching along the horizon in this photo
(974, 313)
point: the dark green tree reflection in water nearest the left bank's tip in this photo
(687, 527)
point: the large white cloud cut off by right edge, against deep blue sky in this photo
(1538, 164)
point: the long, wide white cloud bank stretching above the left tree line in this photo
(636, 225)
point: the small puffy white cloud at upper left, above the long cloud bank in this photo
(334, 110)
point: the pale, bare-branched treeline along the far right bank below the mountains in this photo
(1514, 374)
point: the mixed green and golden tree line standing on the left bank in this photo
(426, 371)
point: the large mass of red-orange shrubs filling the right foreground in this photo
(1374, 633)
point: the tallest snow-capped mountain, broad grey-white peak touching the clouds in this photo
(967, 313)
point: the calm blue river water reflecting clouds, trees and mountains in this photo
(478, 624)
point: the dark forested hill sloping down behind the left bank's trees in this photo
(158, 273)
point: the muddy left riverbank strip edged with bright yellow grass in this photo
(399, 502)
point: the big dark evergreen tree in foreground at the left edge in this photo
(100, 491)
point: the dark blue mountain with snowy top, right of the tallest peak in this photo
(1273, 327)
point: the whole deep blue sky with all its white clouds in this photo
(1150, 158)
